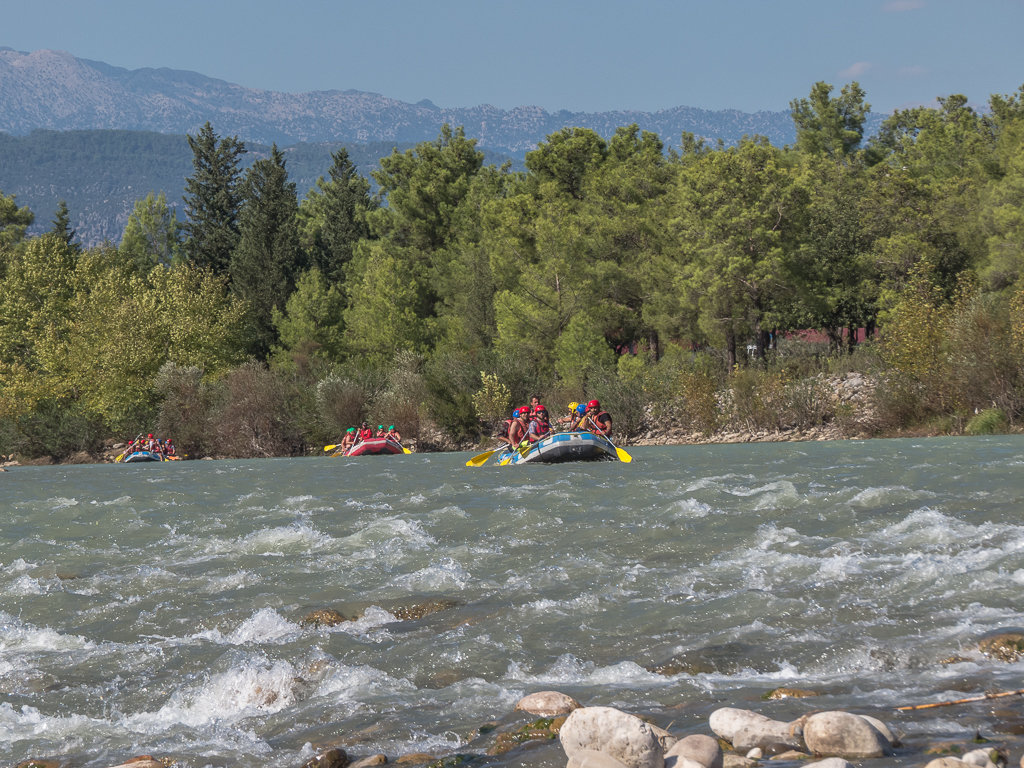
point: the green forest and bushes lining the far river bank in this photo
(666, 282)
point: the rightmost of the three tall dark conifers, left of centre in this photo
(333, 218)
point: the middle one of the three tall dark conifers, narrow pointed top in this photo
(268, 259)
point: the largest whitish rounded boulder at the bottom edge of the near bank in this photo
(624, 738)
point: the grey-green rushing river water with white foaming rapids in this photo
(158, 609)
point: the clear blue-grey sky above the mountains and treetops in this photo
(582, 56)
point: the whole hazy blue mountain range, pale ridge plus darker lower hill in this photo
(88, 133)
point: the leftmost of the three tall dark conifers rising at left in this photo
(212, 200)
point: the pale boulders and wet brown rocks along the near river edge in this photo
(551, 730)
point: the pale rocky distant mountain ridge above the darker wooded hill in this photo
(55, 91)
